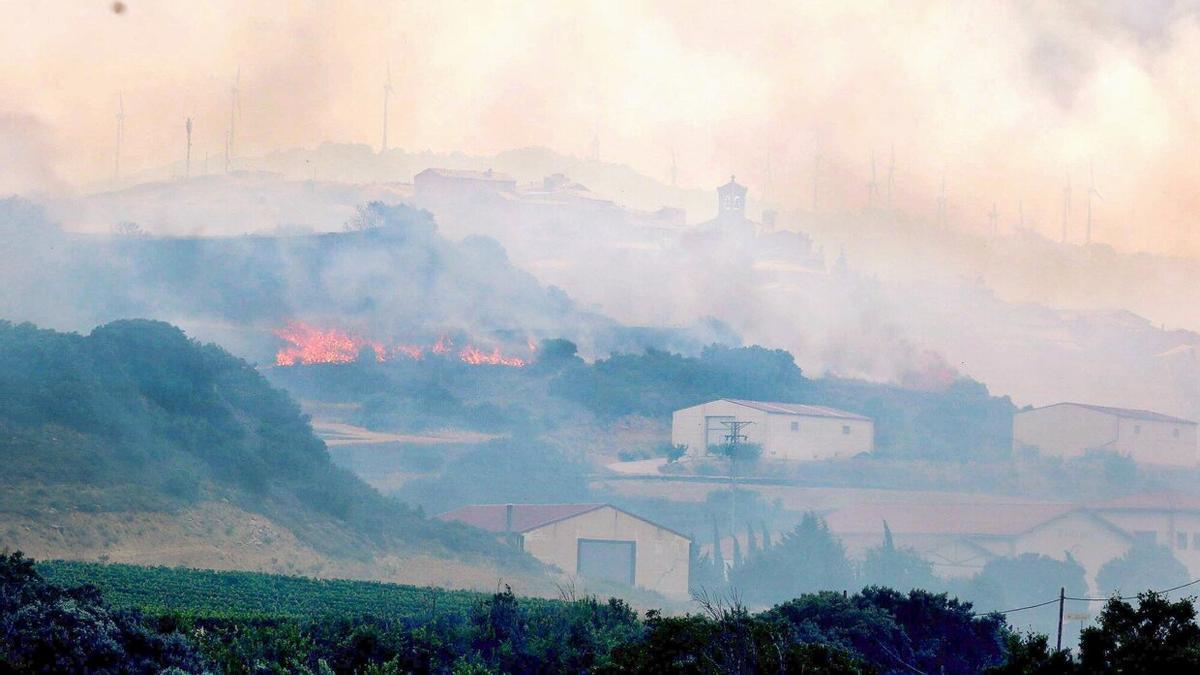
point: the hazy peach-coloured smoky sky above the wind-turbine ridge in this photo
(1007, 100)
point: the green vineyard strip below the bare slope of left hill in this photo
(205, 593)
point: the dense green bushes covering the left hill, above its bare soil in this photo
(139, 417)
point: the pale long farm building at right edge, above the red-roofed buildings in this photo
(1072, 429)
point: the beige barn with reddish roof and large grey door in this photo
(598, 542)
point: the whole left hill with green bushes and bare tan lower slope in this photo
(137, 444)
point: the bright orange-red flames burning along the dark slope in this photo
(308, 345)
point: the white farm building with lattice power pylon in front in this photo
(787, 432)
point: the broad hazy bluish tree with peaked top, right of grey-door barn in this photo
(806, 560)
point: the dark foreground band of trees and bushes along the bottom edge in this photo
(49, 629)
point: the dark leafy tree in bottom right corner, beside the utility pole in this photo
(1159, 636)
